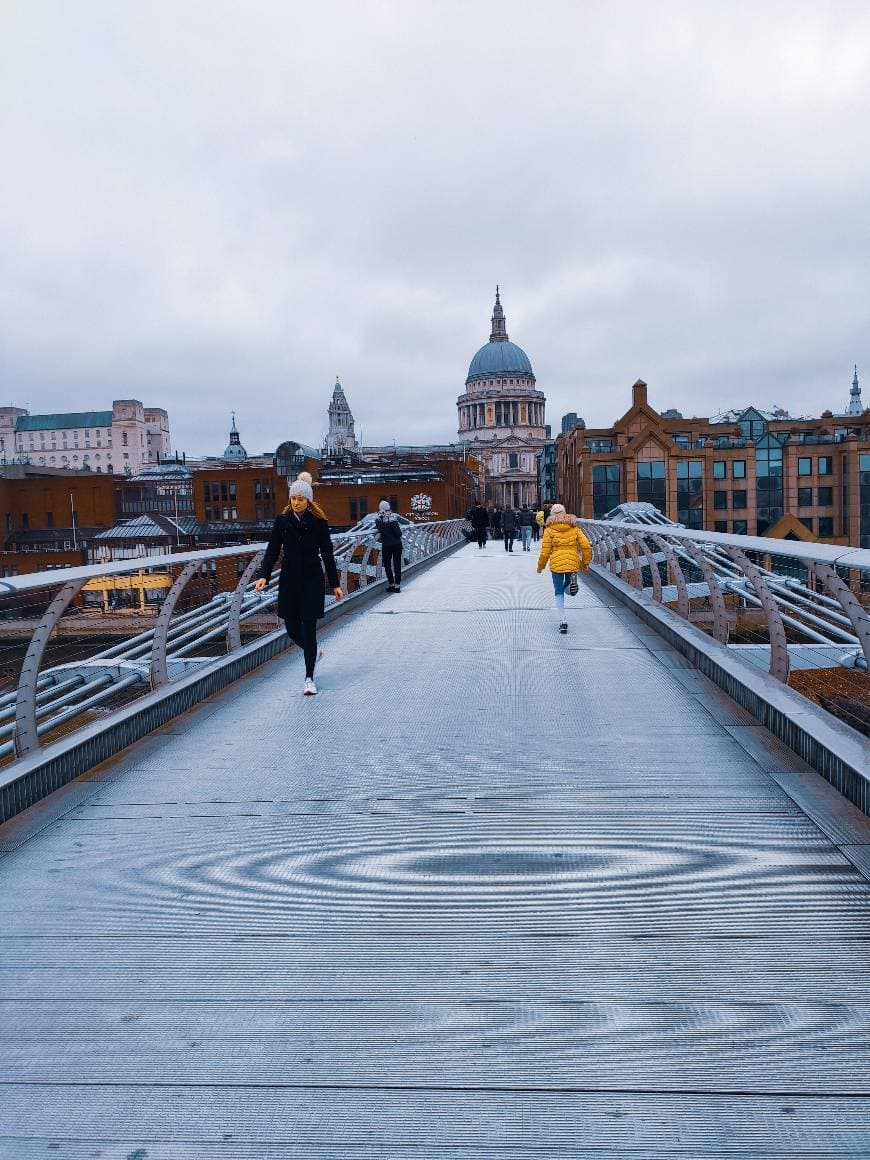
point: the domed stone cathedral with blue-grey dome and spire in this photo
(503, 415)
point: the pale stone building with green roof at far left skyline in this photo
(121, 441)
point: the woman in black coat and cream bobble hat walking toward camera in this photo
(301, 534)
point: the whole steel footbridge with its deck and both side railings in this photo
(495, 893)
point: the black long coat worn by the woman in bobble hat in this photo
(304, 543)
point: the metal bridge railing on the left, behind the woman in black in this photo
(79, 644)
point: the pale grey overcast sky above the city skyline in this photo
(213, 206)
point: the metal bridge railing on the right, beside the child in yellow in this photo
(802, 610)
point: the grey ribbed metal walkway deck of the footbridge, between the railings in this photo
(496, 893)
